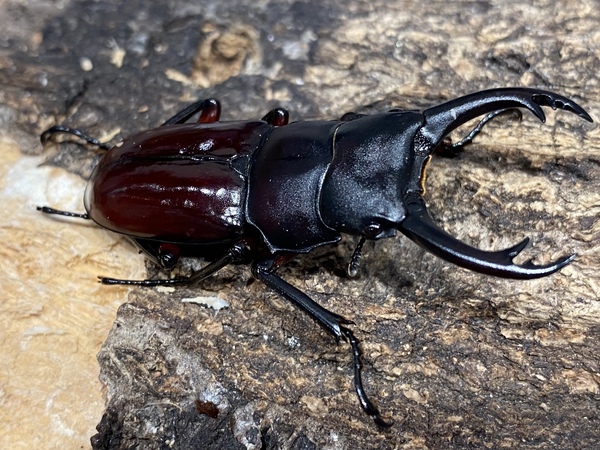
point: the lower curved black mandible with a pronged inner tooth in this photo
(420, 228)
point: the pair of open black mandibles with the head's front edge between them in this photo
(440, 121)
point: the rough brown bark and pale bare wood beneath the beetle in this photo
(459, 360)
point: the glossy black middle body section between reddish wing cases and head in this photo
(285, 185)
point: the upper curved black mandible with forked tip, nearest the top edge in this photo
(442, 119)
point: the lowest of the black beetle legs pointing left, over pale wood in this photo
(237, 253)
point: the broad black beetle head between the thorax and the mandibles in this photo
(370, 172)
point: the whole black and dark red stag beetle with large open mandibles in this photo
(260, 192)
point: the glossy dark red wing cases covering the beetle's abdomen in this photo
(176, 183)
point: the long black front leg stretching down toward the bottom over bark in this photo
(331, 322)
